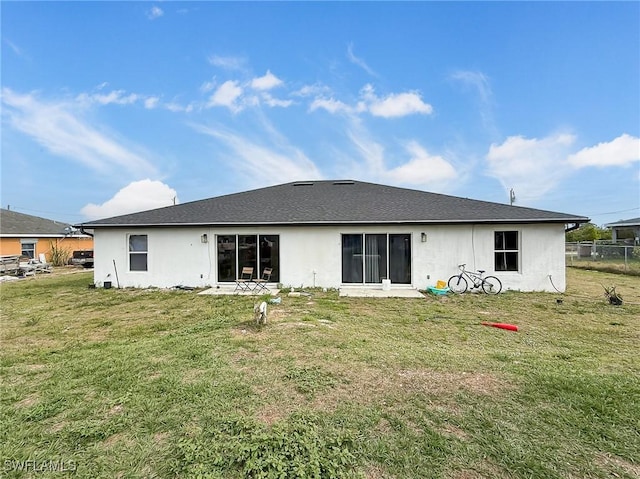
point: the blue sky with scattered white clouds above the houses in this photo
(112, 107)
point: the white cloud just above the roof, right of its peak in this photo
(422, 168)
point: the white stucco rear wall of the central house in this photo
(311, 256)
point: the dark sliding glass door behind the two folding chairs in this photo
(256, 251)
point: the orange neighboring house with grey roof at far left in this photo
(28, 236)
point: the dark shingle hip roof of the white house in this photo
(334, 202)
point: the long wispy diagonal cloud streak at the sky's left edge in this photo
(59, 127)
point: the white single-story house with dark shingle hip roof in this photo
(333, 234)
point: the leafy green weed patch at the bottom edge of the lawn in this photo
(239, 446)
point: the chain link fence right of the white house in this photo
(622, 256)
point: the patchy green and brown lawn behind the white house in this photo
(154, 383)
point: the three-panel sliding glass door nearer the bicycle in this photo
(370, 258)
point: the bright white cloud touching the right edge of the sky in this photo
(621, 151)
